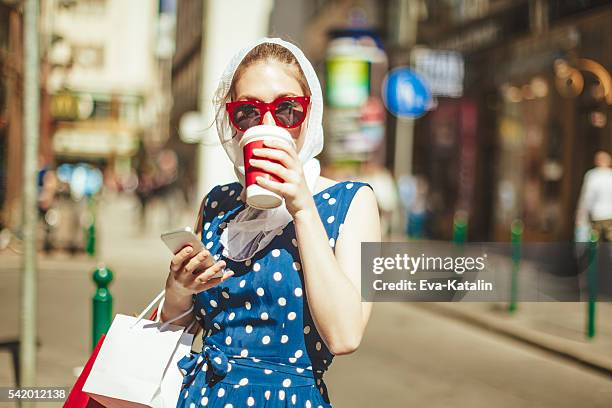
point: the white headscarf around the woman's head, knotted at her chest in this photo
(253, 229)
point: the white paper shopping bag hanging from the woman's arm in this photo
(135, 358)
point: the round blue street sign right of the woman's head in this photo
(405, 93)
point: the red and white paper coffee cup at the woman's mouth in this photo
(254, 137)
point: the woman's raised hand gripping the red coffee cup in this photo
(294, 189)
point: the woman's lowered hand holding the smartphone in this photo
(192, 272)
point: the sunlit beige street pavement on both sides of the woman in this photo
(412, 354)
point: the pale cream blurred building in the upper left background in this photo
(105, 80)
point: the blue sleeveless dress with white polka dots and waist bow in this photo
(260, 345)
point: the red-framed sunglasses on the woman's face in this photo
(288, 112)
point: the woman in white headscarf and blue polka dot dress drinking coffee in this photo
(289, 299)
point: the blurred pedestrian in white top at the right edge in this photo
(595, 203)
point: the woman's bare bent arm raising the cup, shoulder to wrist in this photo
(333, 283)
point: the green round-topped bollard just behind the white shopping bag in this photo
(102, 303)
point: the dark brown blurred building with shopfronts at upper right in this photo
(536, 97)
